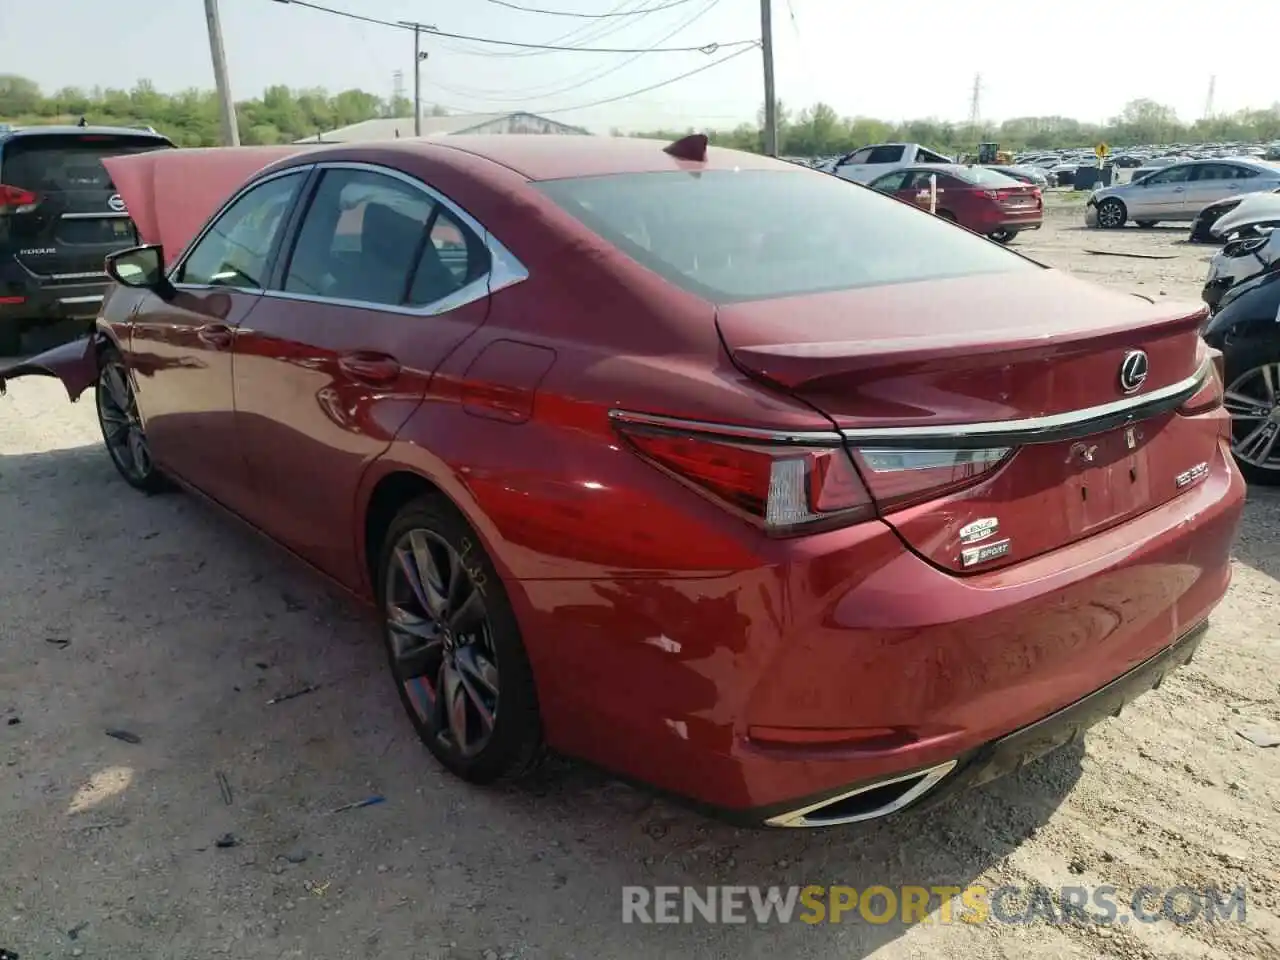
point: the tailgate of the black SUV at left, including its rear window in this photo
(79, 217)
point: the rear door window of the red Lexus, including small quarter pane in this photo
(374, 239)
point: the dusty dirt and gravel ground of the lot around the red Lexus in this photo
(163, 619)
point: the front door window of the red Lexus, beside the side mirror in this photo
(237, 249)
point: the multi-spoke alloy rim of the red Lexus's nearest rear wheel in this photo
(442, 642)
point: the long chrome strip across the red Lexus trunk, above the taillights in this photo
(1004, 433)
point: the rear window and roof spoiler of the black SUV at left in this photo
(60, 164)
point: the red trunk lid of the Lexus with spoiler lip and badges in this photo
(988, 413)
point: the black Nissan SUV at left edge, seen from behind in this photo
(60, 218)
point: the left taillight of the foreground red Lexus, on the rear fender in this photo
(784, 488)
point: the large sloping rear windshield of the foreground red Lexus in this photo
(757, 235)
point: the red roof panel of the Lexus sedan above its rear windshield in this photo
(560, 157)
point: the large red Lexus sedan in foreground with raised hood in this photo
(728, 476)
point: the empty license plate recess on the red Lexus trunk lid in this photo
(1108, 479)
